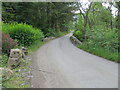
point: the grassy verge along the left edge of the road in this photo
(21, 76)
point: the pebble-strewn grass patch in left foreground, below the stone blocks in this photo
(20, 78)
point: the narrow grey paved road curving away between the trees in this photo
(62, 65)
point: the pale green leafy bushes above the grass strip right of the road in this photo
(104, 37)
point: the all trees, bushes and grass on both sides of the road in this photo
(27, 24)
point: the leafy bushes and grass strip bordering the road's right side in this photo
(102, 42)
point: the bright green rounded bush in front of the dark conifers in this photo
(23, 33)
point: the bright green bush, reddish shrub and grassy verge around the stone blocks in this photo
(16, 35)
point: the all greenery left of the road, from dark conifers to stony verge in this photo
(27, 25)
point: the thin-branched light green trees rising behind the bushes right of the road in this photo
(95, 14)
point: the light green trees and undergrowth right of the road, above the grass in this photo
(97, 27)
